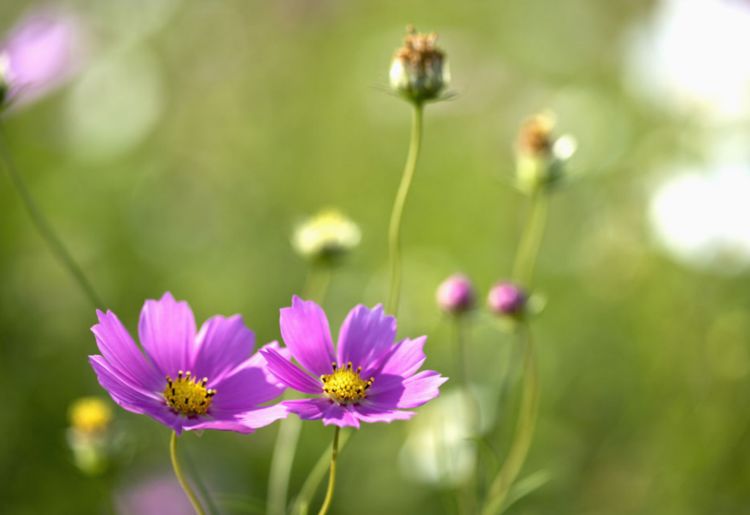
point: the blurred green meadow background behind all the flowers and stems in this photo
(200, 133)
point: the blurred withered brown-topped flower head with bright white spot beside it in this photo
(540, 157)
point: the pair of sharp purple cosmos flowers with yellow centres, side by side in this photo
(190, 379)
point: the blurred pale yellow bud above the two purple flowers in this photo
(326, 237)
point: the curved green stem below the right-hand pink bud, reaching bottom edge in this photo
(525, 426)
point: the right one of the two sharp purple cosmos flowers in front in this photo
(368, 379)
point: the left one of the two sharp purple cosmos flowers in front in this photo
(187, 379)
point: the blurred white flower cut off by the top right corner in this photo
(693, 55)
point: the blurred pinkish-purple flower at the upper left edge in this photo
(41, 52)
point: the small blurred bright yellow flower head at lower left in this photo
(89, 437)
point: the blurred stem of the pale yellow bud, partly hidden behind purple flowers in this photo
(316, 287)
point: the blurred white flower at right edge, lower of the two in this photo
(702, 217)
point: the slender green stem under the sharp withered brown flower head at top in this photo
(394, 229)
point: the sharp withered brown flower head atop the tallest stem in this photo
(419, 69)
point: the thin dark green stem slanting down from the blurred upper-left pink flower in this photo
(42, 225)
